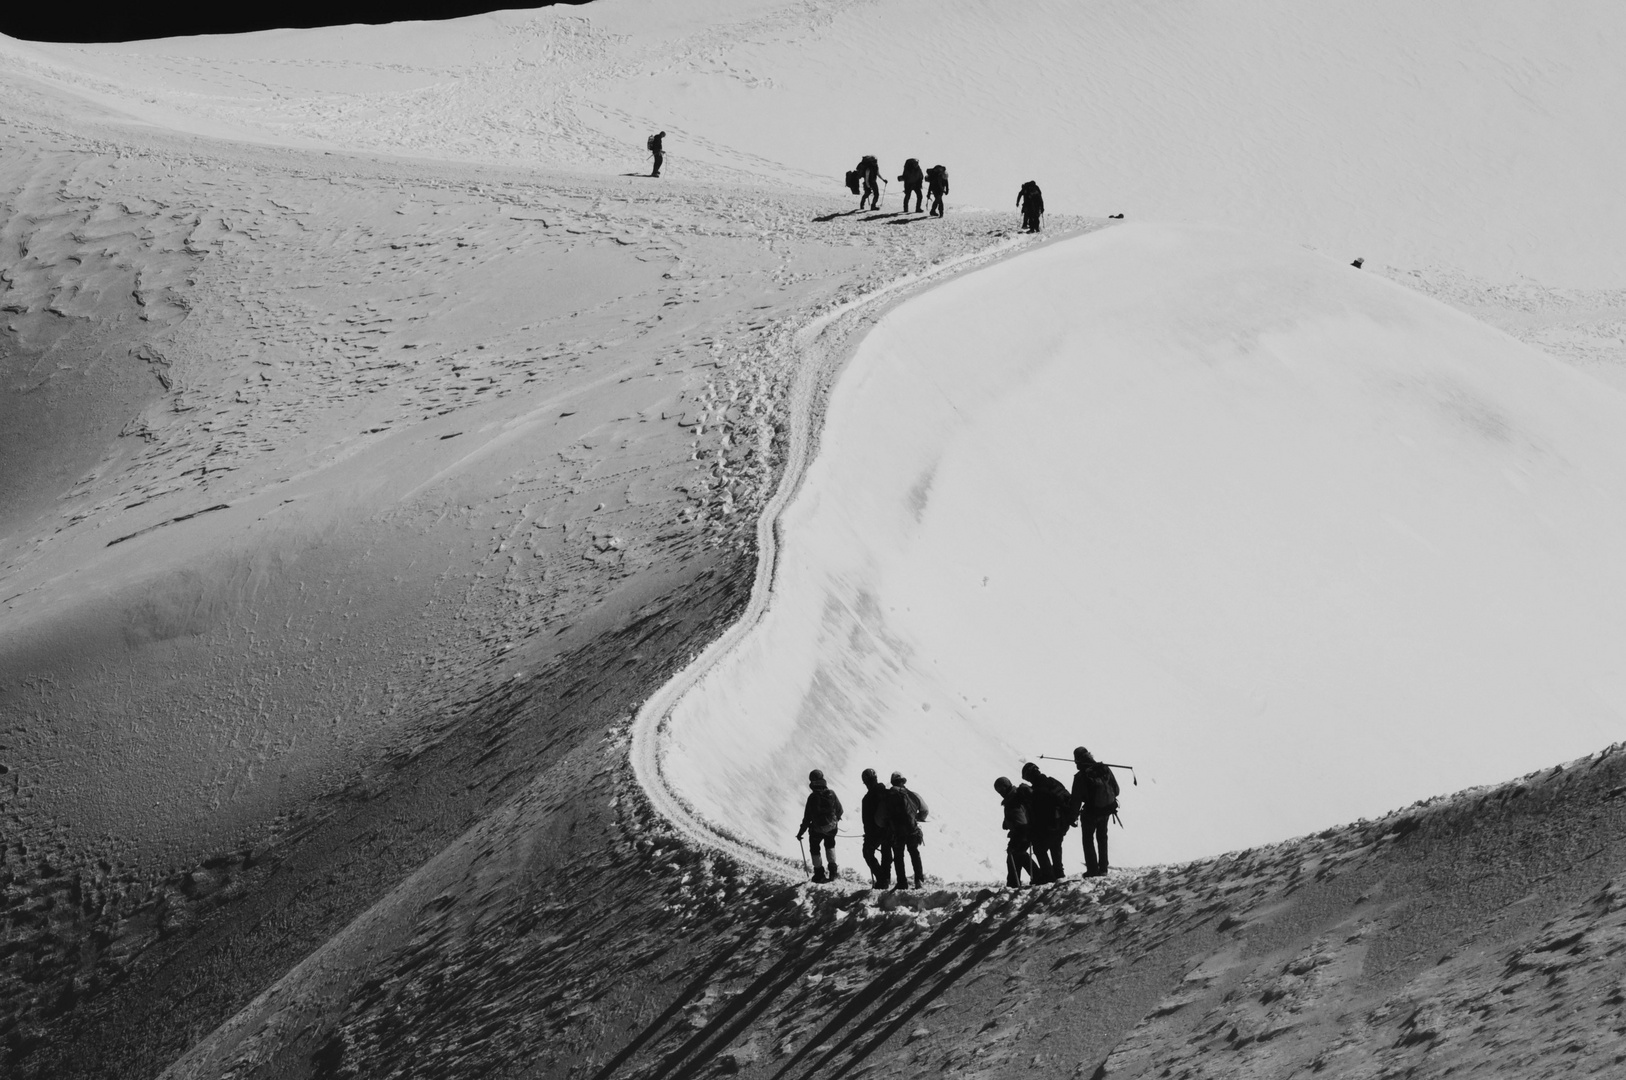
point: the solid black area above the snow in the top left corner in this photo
(139, 22)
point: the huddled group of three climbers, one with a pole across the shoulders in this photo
(1041, 809)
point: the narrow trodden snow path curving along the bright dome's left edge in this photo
(817, 368)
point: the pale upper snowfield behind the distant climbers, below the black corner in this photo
(1477, 136)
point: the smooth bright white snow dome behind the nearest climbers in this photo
(1290, 539)
